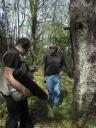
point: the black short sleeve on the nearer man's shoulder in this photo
(10, 59)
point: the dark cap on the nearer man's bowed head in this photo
(25, 42)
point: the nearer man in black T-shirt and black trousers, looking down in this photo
(17, 108)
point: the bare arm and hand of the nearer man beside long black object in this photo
(17, 85)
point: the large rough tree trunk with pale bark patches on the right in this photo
(83, 30)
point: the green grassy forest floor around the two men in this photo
(42, 114)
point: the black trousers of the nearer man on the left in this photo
(17, 111)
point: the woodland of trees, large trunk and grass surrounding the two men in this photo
(72, 25)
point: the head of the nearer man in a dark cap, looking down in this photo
(22, 45)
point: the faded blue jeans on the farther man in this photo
(54, 83)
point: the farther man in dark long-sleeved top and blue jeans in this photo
(53, 70)
